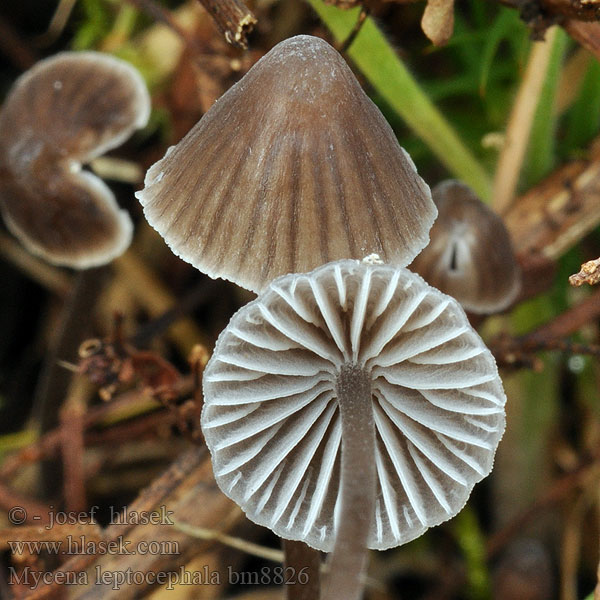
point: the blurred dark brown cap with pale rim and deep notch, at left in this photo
(66, 110)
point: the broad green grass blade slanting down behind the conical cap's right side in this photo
(380, 65)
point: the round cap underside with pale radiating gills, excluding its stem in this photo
(272, 423)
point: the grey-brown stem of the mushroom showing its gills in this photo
(357, 488)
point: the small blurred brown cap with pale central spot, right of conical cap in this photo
(470, 255)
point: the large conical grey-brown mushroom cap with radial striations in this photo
(293, 167)
